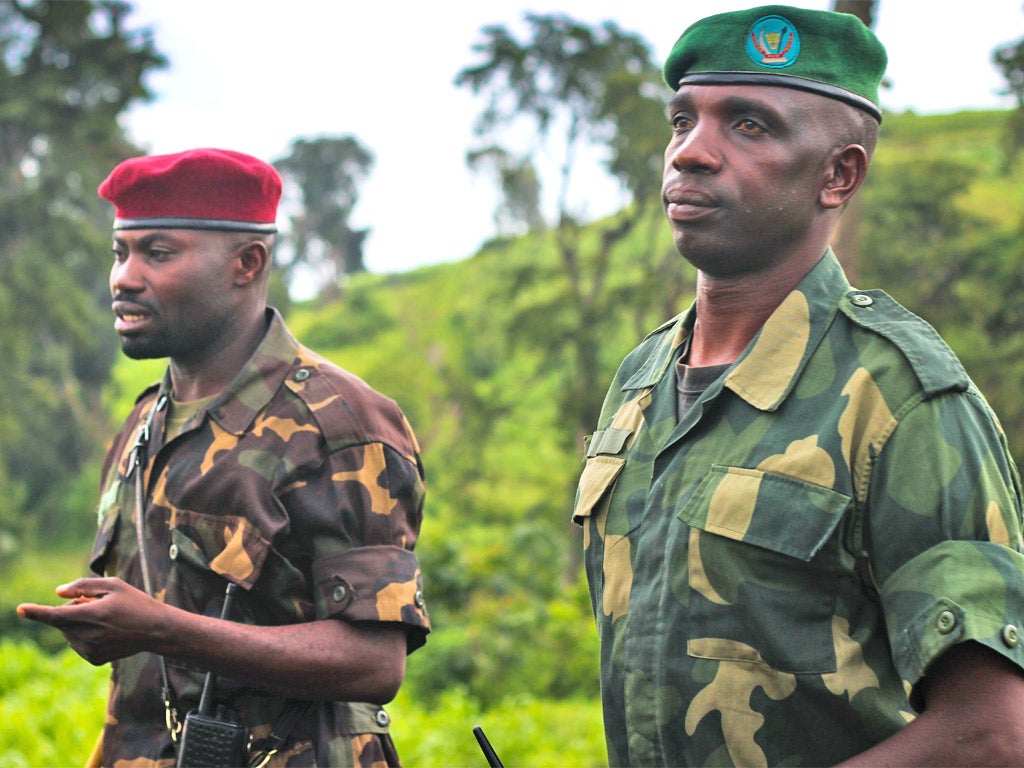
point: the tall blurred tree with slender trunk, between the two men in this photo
(576, 89)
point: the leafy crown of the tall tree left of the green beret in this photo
(576, 86)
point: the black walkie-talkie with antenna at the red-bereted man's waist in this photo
(214, 741)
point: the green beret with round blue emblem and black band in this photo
(822, 52)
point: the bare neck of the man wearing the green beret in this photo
(732, 310)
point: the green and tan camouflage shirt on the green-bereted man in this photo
(773, 575)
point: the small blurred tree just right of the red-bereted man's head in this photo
(328, 174)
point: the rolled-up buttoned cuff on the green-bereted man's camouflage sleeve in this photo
(955, 592)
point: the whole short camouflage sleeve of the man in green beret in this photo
(945, 534)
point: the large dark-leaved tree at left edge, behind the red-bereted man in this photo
(68, 70)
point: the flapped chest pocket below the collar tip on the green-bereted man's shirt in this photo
(763, 570)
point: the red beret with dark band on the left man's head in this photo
(195, 190)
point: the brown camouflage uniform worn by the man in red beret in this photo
(302, 485)
